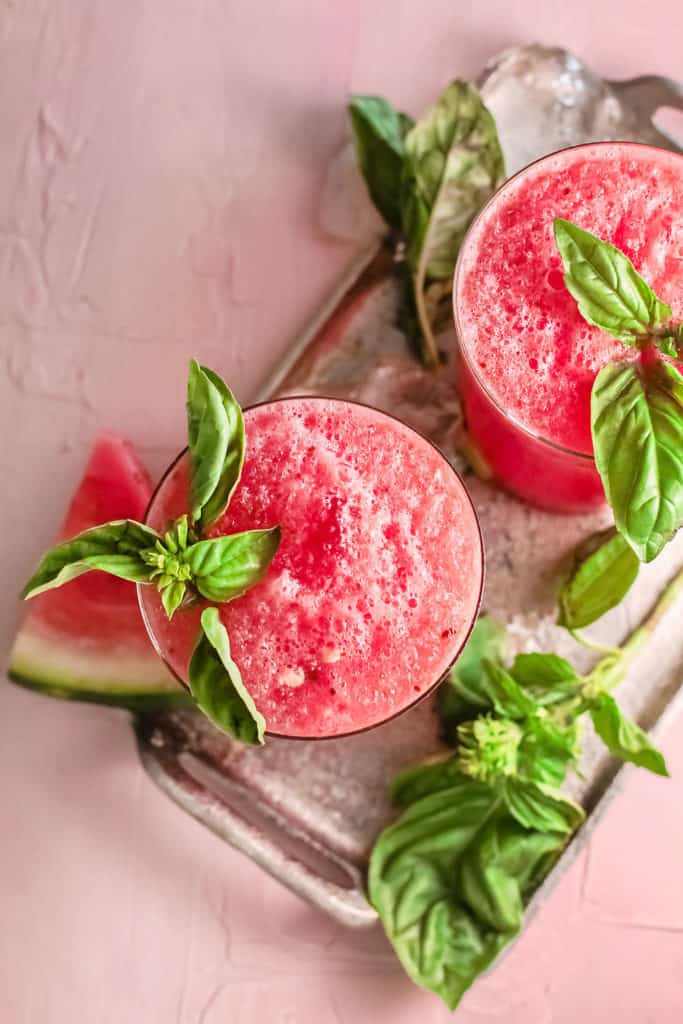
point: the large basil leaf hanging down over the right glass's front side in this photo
(637, 420)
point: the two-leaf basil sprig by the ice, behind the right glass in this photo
(429, 180)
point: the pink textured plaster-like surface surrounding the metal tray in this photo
(162, 163)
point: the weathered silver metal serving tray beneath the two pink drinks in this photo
(309, 813)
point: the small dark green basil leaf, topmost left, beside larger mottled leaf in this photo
(379, 132)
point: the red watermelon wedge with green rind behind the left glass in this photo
(88, 642)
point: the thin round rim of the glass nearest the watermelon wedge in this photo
(270, 735)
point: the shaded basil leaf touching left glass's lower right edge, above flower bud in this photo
(463, 694)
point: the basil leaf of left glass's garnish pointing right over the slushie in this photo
(228, 567)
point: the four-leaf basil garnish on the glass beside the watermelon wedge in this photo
(183, 564)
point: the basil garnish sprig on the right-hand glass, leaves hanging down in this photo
(636, 422)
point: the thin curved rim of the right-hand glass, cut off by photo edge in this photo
(462, 348)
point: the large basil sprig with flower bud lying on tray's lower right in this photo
(482, 828)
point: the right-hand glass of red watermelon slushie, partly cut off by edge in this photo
(528, 358)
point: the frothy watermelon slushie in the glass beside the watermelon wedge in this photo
(377, 581)
